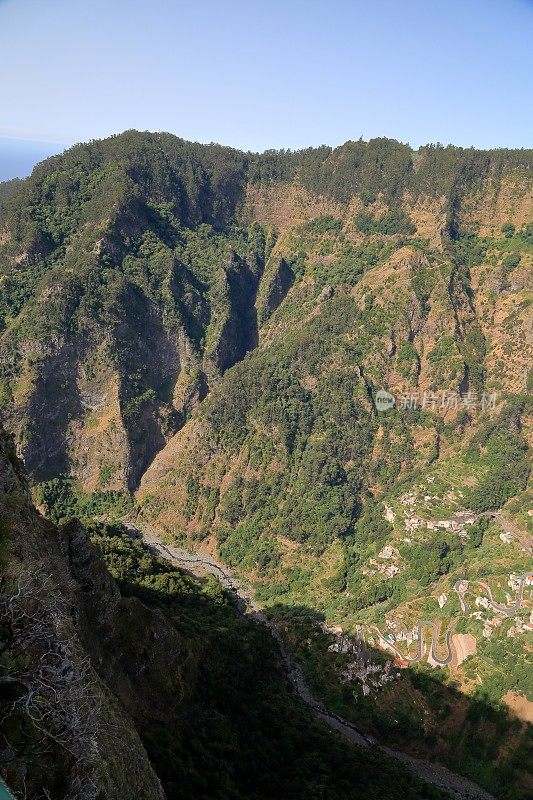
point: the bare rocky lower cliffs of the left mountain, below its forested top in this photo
(99, 402)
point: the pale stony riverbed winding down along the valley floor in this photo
(455, 785)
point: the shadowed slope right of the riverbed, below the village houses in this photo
(422, 712)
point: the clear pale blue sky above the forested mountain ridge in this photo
(255, 75)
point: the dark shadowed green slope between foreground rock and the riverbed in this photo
(208, 693)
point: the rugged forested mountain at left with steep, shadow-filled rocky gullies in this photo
(114, 301)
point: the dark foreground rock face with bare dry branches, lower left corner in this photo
(64, 730)
